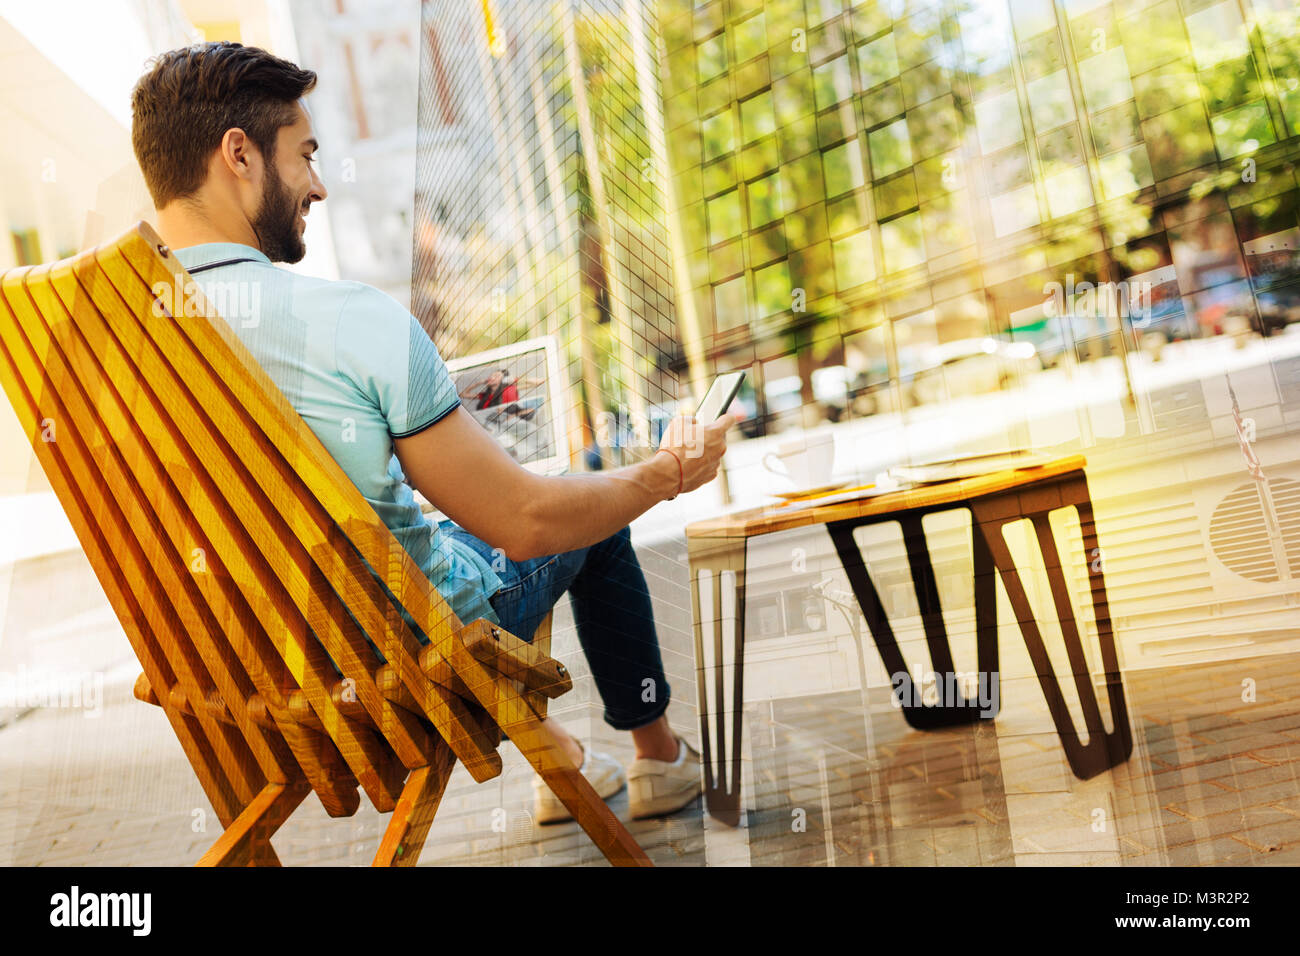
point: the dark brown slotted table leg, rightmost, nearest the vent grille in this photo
(1103, 751)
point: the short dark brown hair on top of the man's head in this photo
(188, 101)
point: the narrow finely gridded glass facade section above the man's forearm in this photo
(539, 213)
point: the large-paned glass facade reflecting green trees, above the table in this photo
(878, 197)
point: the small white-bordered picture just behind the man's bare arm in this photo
(518, 393)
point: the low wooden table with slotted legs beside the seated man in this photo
(717, 547)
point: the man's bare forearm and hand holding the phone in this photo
(460, 468)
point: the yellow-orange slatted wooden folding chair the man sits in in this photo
(242, 563)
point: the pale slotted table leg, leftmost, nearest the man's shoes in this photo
(717, 660)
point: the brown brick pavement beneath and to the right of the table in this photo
(1212, 781)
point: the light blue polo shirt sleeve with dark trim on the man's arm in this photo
(392, 360)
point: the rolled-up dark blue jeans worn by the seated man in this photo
(612, 609)
